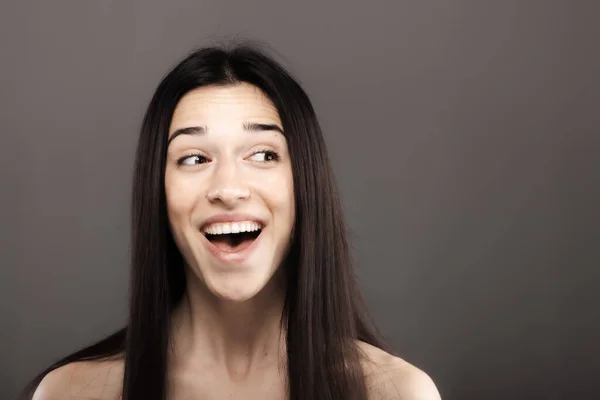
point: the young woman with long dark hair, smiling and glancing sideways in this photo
(242, 285)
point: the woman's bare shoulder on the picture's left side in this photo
(89, 380)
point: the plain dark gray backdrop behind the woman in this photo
(464, 134)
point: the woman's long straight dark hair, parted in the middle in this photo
(324, 314)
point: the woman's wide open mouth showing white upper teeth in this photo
(227, 239)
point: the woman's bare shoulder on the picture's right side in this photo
(391, 378)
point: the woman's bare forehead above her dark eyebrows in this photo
(229, 105)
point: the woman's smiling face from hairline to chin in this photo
(229, 188)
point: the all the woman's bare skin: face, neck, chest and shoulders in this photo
(226, 333)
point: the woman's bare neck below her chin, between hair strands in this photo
(238, 336)
